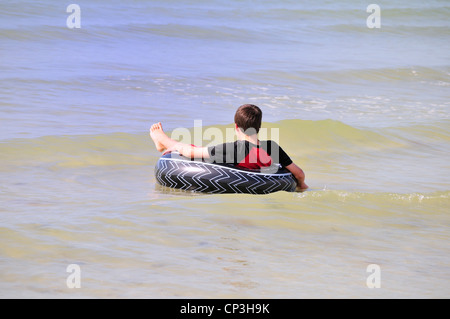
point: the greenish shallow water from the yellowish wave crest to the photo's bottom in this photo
(93, 201)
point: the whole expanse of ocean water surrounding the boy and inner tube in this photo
(365, 112)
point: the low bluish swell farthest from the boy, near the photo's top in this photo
(222, 33)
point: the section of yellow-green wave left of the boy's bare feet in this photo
(76, 151)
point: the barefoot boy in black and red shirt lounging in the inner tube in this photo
(247, 152)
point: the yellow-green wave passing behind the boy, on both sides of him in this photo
(299, 137)
